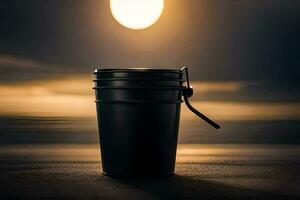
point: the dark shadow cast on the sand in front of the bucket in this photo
(184, 187)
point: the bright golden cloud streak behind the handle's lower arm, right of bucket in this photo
(245, 110)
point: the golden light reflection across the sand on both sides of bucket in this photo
(186, 153)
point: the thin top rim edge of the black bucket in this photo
(112, 70)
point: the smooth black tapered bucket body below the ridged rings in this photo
(138, 139)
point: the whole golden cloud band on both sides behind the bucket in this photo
(73, 96)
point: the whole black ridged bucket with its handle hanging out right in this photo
(138, 114)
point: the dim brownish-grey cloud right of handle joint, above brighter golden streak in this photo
(251, 91)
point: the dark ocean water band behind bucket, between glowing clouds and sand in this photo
(41, 129)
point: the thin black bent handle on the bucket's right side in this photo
(187, 93)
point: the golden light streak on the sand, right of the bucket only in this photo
(188, 153)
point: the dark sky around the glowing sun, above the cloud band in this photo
(219, 39)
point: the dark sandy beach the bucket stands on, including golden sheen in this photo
(202, 172)
